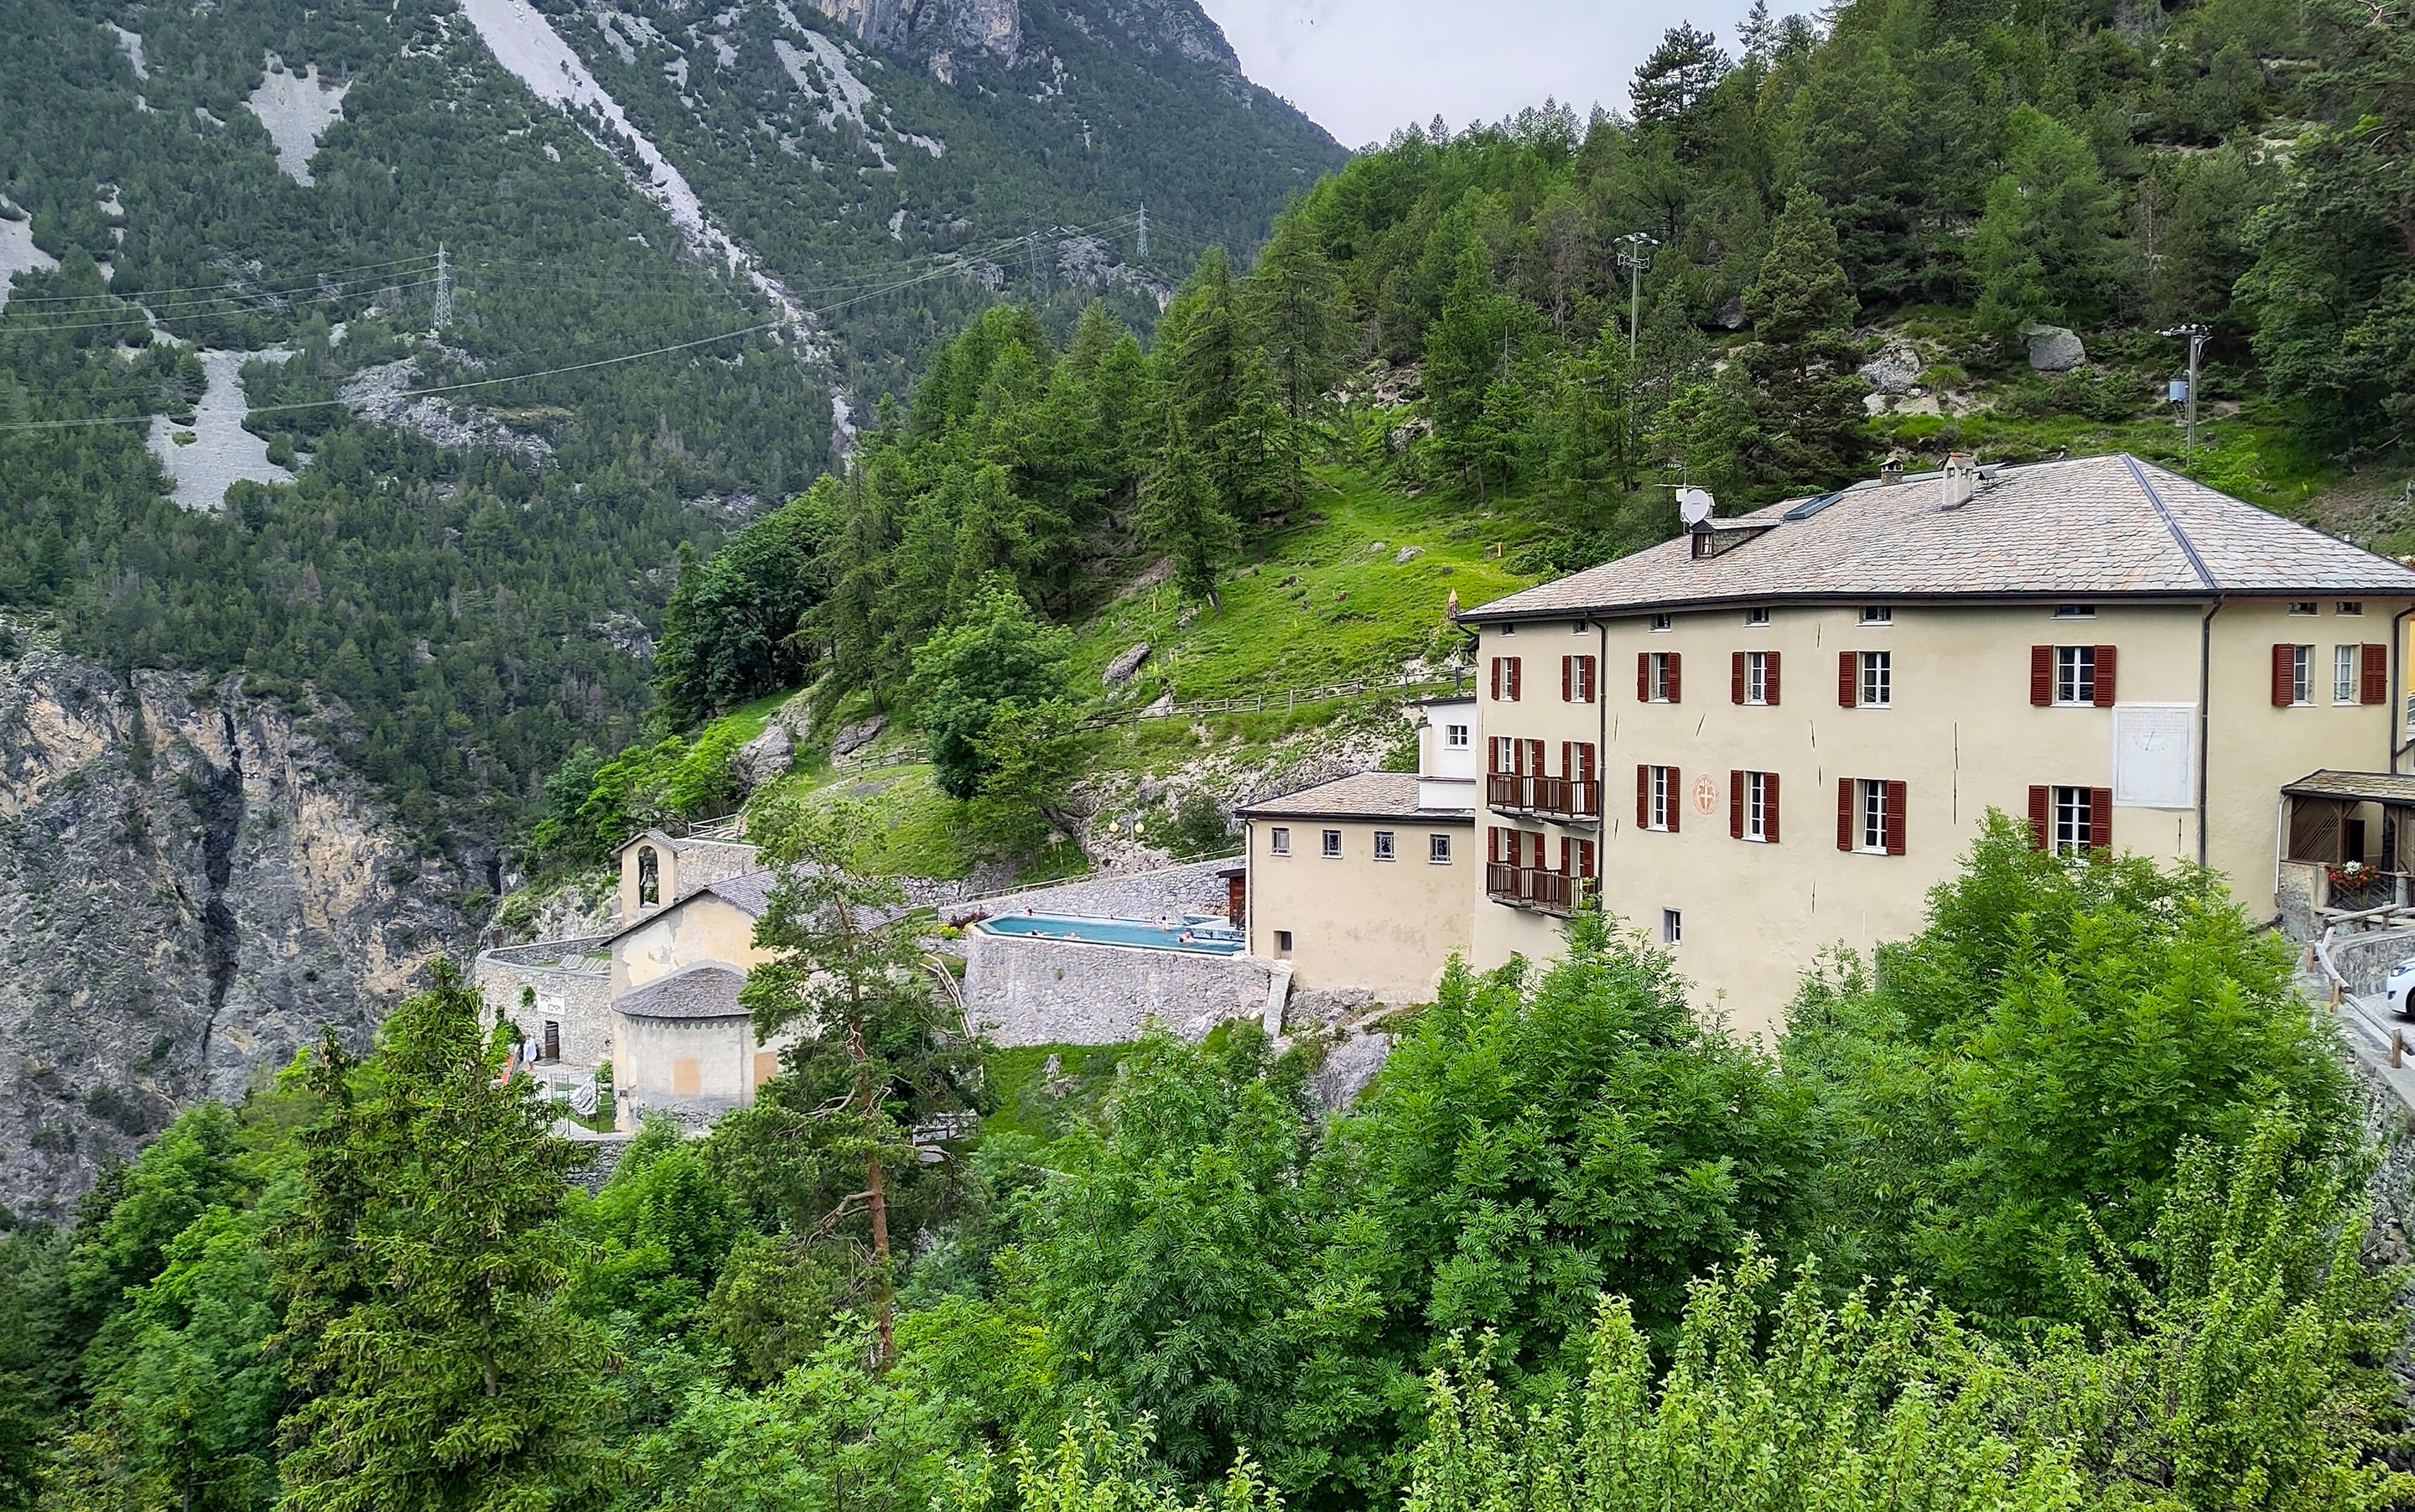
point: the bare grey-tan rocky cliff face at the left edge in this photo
(190, 888)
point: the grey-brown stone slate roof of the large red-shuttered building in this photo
(2093, 528)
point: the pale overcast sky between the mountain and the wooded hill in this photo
(1363, 69)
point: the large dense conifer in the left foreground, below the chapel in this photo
(421, 1272)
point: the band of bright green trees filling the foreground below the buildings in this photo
(1955, 1243)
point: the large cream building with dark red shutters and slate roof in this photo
(1779, 733)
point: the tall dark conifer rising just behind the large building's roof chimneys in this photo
(1808, 402)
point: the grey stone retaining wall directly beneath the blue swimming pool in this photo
(1064, 991)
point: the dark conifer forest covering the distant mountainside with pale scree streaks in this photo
(477, 610)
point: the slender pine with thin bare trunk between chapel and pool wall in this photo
(878, 1049)
